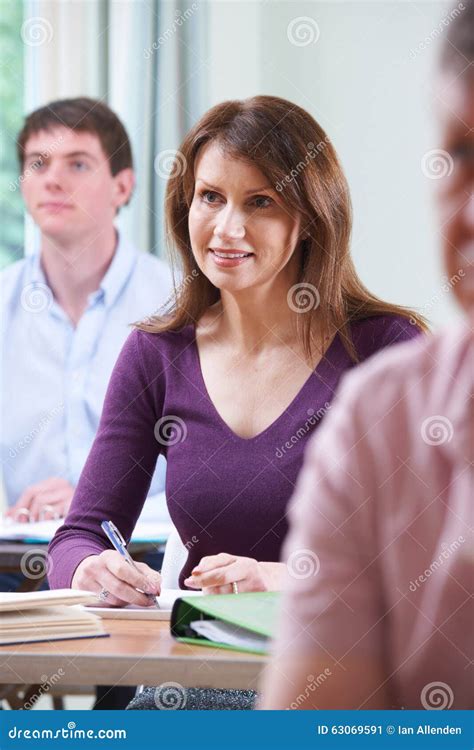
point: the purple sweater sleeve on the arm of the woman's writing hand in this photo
(116, 476)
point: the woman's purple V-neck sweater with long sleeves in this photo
(224, 493)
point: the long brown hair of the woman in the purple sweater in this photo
(296, 156)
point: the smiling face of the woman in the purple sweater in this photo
(242, 235)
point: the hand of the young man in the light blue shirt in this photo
(50, 498)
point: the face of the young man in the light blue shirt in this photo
(68, 187)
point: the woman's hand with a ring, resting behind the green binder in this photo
(216, 574)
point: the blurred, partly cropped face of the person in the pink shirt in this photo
(456, 190)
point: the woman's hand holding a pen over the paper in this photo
(109, 571)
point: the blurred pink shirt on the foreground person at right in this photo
(380, 553)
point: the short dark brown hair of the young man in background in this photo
(84, 115)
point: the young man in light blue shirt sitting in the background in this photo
(66, 308)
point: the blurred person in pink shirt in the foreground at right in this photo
(382, 517)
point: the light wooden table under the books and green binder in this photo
(140, 652)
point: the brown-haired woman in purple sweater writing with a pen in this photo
(230, 382)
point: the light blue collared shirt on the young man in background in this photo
(54, 376)
